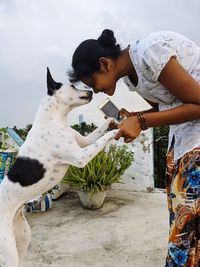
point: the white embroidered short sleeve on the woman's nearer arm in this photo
(154, 59)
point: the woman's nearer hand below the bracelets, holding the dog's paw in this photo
(129, 128)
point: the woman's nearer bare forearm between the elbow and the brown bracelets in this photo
(180, 114)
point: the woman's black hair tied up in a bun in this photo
(85, 60)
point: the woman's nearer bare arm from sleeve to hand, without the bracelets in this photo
(176, 79)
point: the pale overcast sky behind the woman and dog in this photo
(35, 34)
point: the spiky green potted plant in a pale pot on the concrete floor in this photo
(99, 174)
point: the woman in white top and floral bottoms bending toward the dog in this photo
(164, 68)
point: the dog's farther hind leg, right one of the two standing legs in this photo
(22, 234)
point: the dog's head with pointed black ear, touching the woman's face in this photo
(67, 94)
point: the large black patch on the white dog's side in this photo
(26, 171)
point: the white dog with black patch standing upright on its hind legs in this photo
(42, 161)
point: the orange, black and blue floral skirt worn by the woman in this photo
(183, 191)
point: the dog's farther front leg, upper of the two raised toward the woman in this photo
(95, 135)
